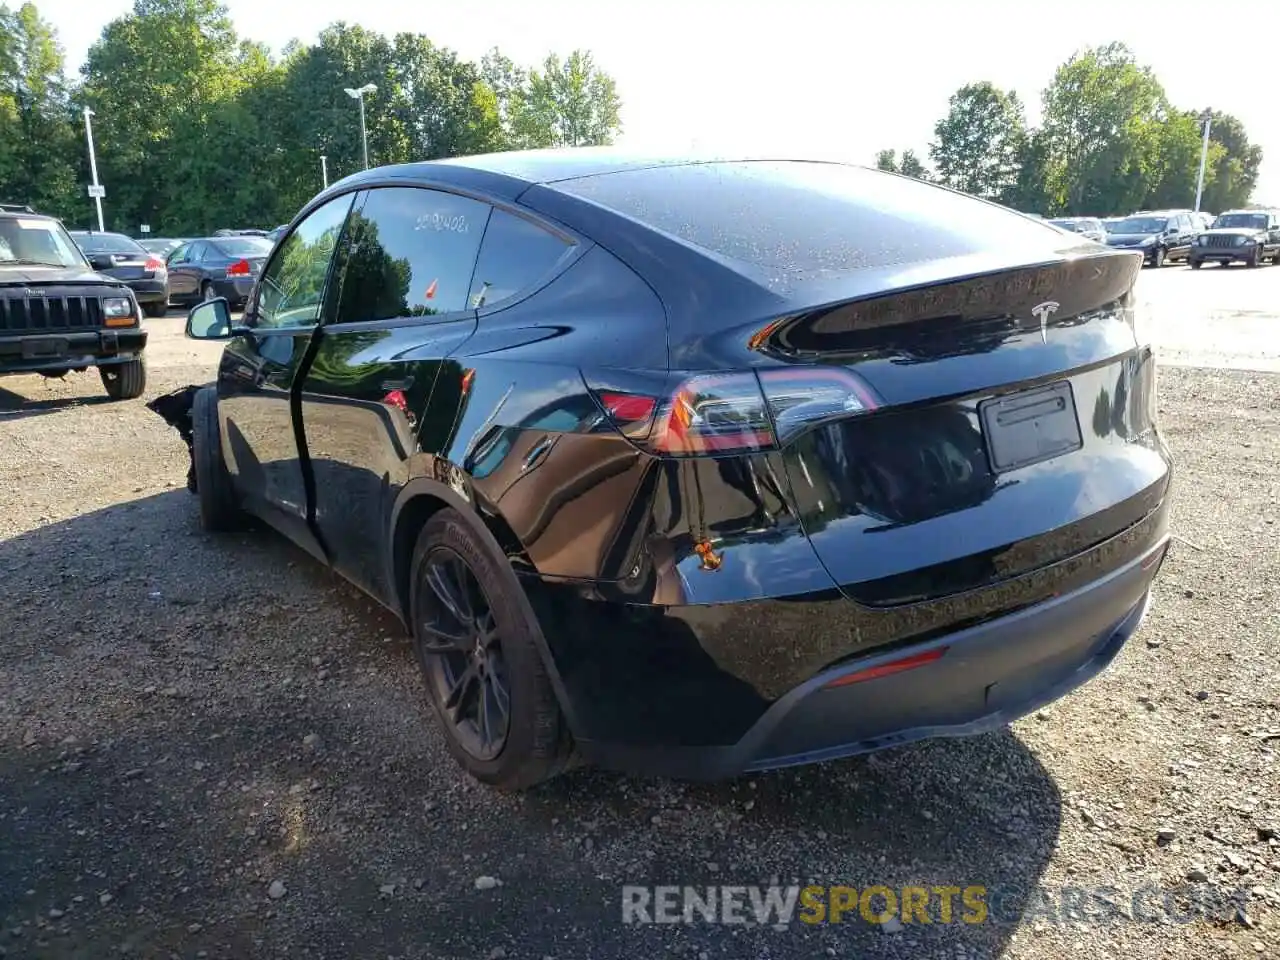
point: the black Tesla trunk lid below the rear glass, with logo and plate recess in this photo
(1008, 423)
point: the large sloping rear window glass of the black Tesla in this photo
(797, 222)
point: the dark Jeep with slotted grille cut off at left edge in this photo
(58, 314)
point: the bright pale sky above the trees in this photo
(803, 79)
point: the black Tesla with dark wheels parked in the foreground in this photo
(697, 468)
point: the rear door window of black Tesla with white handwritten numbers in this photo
(413, 253)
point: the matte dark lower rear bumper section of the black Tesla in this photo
(986, 676)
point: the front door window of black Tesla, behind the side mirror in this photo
(291, 292)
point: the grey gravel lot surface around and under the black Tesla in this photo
(186, 721)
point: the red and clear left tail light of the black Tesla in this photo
(740, 413)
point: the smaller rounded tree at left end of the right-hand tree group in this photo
(980, 143)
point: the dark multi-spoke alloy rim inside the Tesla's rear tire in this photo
(461, 652)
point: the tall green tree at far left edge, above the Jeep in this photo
(39, 148)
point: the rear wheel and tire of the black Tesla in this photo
(479, 647)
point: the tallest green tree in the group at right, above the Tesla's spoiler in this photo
(1103, 115)
